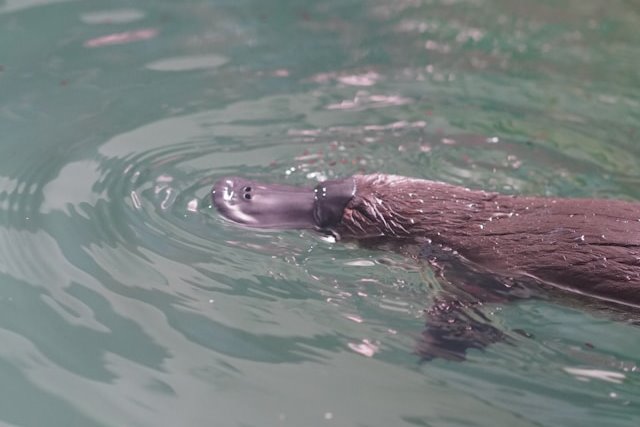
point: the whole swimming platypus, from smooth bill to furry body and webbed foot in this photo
(589, 247)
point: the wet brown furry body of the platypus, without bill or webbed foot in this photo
(588, 246)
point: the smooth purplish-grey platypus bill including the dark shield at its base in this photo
(274, 206)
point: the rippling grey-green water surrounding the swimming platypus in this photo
(125, 300)
